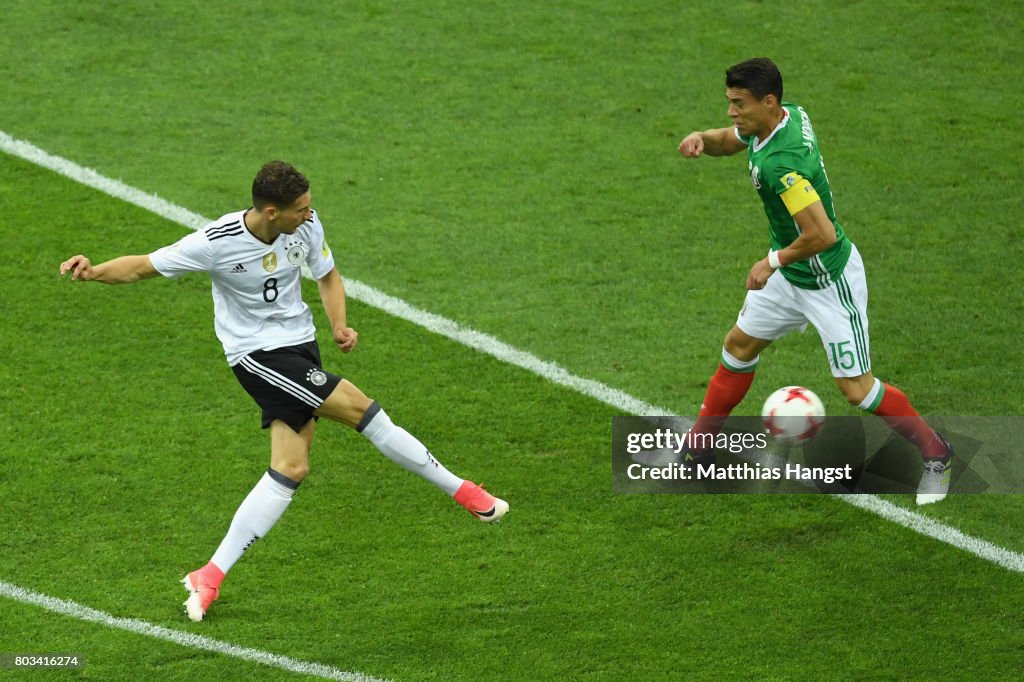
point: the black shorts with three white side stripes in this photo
(288, 383)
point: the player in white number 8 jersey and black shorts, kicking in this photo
(254, 259)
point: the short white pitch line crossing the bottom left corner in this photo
(179, 637)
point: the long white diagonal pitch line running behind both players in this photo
(497, 349)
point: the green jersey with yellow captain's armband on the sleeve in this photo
(789, 175)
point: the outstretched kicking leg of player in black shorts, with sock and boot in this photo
(351, 406)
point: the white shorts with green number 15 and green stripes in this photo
(839, 314)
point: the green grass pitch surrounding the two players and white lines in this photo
(511, 166)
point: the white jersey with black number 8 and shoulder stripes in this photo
(258, 293)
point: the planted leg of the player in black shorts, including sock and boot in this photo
(257, 516)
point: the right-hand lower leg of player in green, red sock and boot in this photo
(893, 407)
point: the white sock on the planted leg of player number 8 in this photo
(257, 516)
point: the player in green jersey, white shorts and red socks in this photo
(813, 275)
